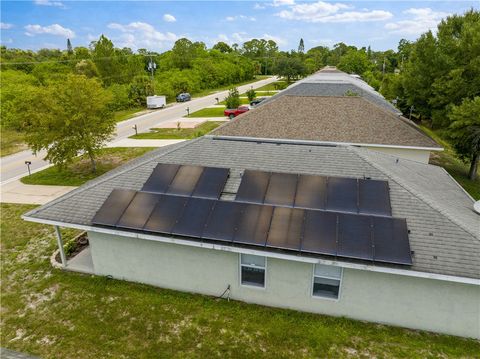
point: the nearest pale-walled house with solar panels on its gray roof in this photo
(438, 291)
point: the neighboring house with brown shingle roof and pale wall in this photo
(349, 120)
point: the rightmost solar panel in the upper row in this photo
(374, 197)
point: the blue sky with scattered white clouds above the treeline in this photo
(156, 25)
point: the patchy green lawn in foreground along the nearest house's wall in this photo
(56, 314)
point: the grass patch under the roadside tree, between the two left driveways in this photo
(79, 171)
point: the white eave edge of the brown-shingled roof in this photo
(317, 143)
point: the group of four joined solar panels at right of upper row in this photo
(364, 196)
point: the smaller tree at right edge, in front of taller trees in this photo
(464, 131)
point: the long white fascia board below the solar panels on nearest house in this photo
(290, 257)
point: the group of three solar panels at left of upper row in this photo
(185, 180)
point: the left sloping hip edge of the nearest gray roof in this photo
(109, 175)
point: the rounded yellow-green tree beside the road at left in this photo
(68, 118)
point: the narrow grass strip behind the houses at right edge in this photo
(449, 160)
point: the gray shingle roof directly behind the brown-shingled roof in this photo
(333, 89)
